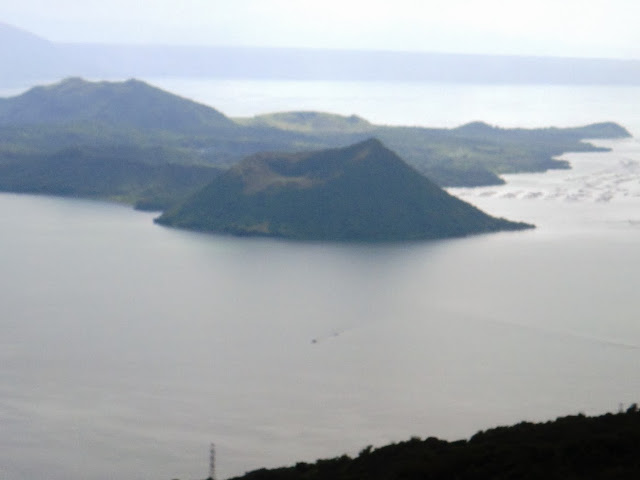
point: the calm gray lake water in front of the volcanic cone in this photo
(127, 348)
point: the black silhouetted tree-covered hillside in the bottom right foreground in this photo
(570, 448)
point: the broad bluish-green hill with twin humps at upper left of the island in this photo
(130, 104)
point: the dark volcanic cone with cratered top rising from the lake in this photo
(364, 192)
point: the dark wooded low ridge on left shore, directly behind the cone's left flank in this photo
(119, 173)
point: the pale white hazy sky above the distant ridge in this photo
(584, 28)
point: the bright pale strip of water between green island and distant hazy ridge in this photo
(426, 104)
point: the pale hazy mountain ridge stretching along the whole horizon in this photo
(27, 58)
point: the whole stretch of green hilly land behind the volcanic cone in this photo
(132, 142)
